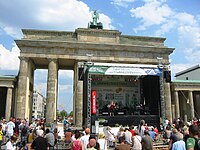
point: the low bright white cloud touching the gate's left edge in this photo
(9, 59)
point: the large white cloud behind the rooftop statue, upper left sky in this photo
(45, 14)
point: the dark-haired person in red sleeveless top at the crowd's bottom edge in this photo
(77, 143)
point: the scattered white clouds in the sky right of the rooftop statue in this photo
(158, 16)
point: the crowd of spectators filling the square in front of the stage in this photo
(175, 135)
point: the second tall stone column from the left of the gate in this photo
(52, 90)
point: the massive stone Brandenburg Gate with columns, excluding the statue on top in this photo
(57, 50)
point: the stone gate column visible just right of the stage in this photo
(168, 109)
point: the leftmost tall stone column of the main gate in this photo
(23, 87)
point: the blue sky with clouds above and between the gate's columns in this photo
(176, 20)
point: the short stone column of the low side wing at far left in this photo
(8, 103)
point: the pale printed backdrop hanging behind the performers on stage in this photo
(125, 90)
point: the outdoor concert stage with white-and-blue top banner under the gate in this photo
(123, 99)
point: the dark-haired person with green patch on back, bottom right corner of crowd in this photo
(192, 143)
